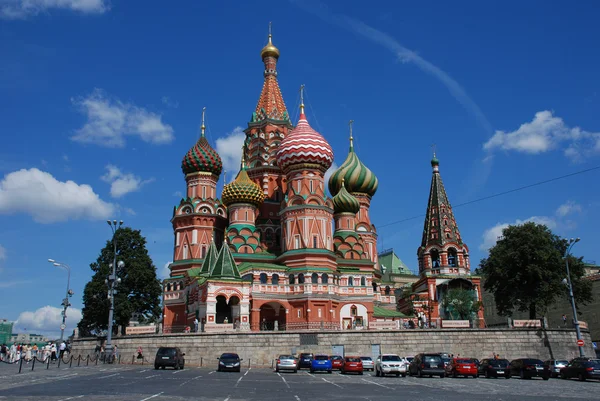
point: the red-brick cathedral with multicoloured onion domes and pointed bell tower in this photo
(275, 252)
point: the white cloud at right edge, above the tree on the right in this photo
(544, 133)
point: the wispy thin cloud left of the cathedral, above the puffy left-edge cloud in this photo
(110, 120)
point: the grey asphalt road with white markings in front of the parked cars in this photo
(143, 383)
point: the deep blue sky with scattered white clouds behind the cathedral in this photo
(99, 101)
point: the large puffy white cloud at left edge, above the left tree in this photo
(48, 200)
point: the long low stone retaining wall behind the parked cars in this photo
(259, 349)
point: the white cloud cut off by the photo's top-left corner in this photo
(17, 9)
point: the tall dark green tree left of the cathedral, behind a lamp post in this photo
(138, 293)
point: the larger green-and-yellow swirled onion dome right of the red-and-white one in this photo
(358, 178)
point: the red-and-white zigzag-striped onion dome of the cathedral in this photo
(304, 145)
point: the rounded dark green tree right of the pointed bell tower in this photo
(525, 269)
